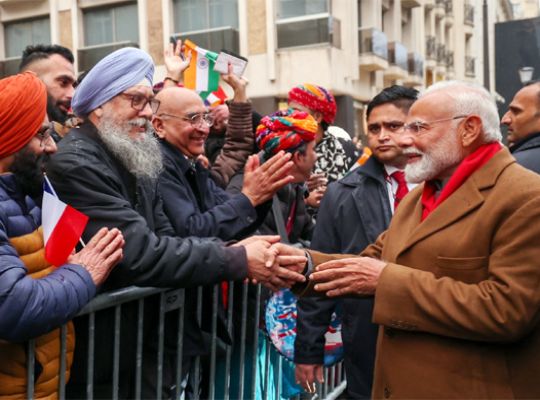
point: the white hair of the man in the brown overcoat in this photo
(471, 98)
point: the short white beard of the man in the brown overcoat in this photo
(443, 155)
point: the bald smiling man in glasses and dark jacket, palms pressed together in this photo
(194, 204)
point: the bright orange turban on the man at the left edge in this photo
(23, 104)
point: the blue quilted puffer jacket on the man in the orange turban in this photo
(31, 307)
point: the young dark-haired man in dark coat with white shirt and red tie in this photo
(354, 211)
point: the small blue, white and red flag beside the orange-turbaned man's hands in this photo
(62, 226)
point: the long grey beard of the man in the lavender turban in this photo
(141, 157)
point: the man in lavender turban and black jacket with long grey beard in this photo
(108, 169)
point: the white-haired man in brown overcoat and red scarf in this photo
(455, 277)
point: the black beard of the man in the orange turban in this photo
(27, 168)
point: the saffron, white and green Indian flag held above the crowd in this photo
(200, 75)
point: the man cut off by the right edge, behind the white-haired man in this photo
(523, 122)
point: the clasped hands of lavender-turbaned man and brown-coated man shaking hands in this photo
(273, 264)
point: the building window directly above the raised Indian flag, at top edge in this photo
(211, 24)
